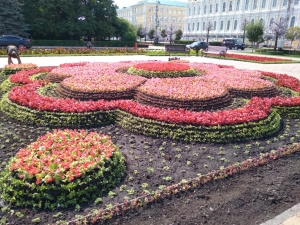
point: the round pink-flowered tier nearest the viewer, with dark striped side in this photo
(193, 93)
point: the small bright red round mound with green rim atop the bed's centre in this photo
(162, 69)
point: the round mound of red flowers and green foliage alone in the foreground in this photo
(62, 169)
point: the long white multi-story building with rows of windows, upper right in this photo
(226, 16)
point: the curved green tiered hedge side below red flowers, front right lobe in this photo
(218, 134)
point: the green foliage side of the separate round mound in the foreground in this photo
(25, 193)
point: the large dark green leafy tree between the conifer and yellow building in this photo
(70, 19)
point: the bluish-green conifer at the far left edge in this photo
(12, 19)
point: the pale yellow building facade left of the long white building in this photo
(152, 14)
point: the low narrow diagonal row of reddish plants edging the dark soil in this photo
(184, 186)
